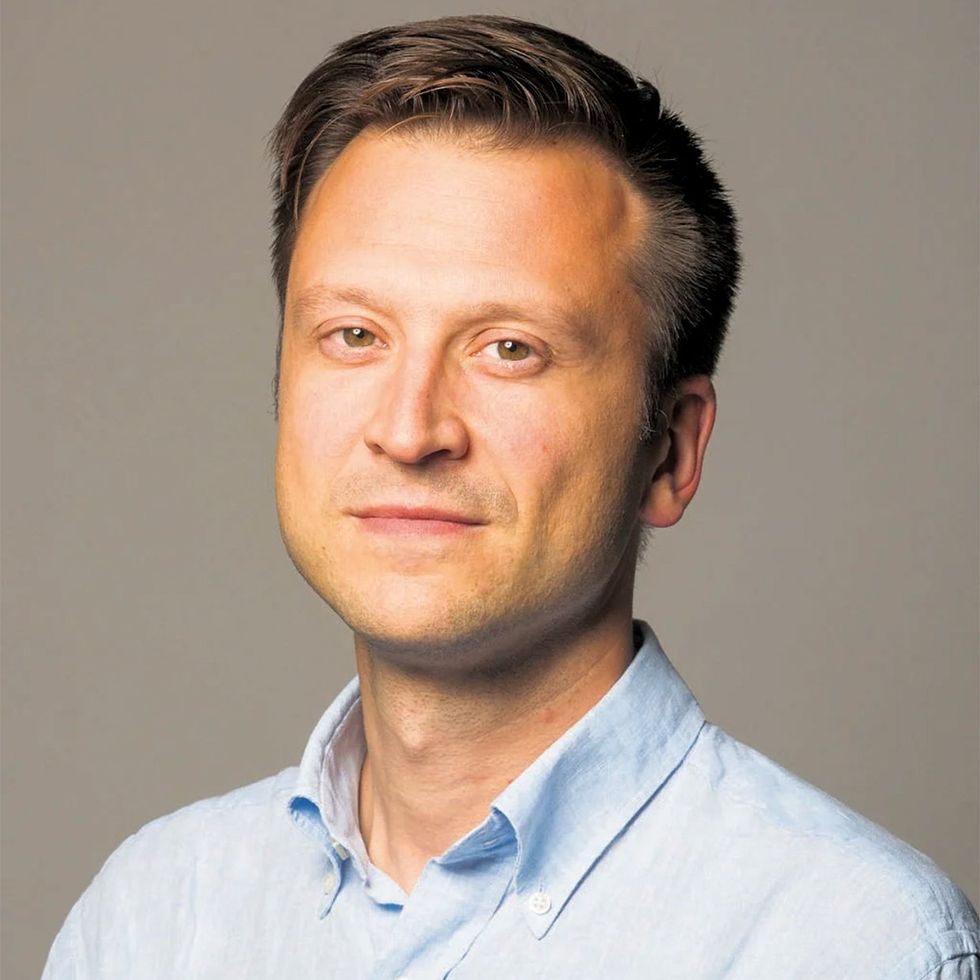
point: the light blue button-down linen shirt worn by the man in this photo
(645, 842)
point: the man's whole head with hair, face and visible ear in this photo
(497, 260)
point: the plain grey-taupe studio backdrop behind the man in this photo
(821, 594)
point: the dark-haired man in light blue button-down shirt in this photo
(505, 274)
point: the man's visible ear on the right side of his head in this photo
(679, 453)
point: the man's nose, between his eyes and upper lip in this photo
(415, 420)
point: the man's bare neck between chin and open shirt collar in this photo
(440, 750)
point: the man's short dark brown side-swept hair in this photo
(502, 82)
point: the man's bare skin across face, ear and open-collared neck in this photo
(477, 644)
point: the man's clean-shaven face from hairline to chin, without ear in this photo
(460, 339)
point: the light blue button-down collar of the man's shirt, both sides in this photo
(565, 808)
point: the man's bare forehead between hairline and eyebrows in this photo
(444, 216)
